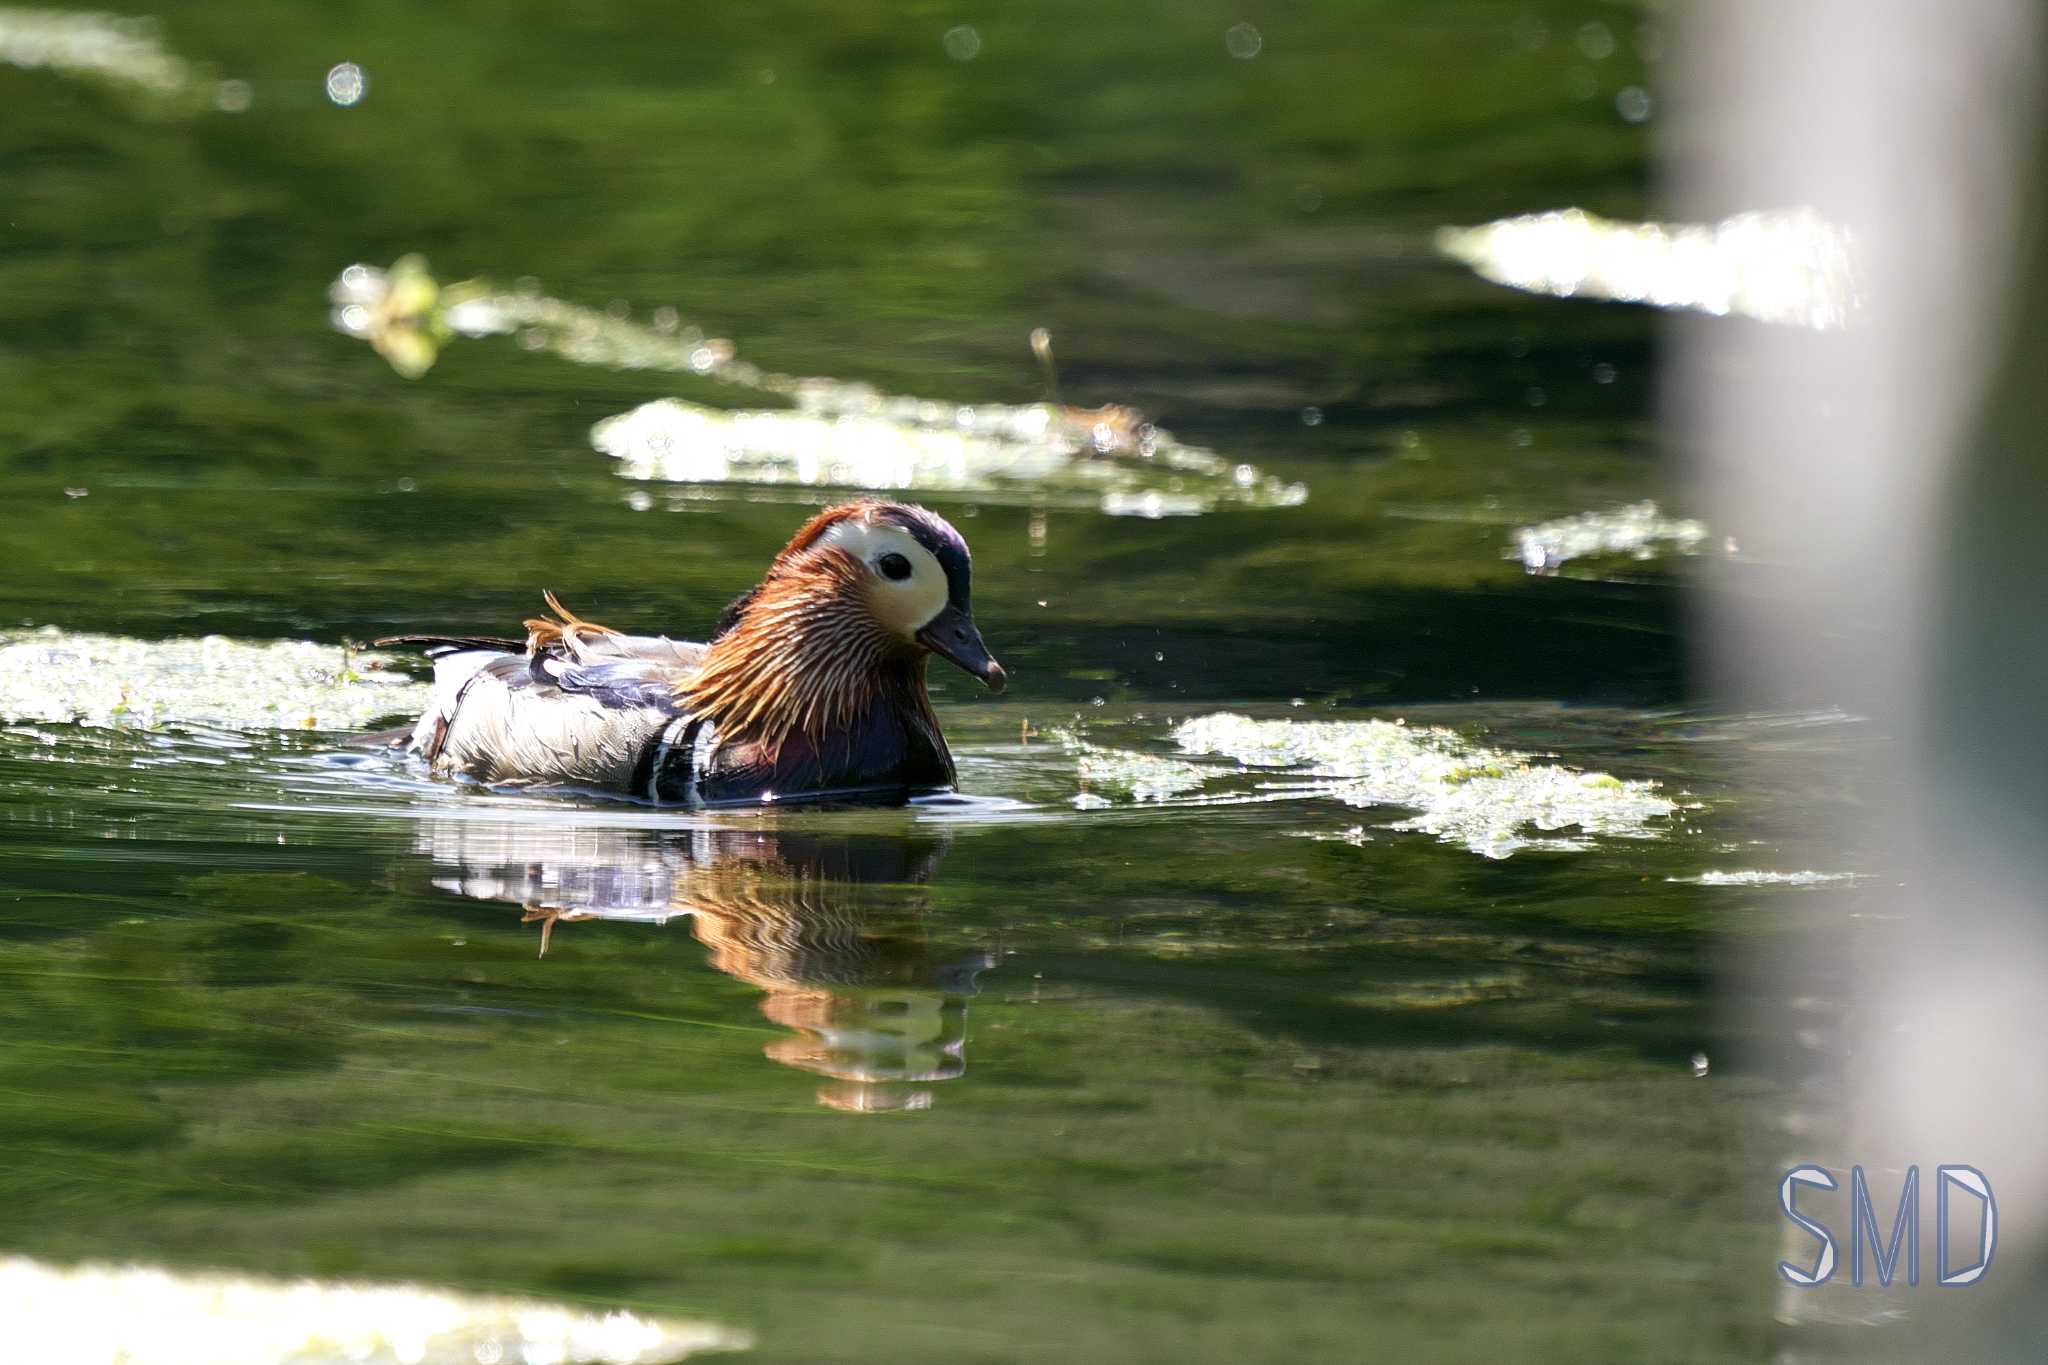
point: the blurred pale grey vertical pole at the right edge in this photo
(1891, 496)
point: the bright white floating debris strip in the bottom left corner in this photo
(97, 1315)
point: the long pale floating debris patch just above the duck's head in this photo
(833, 433)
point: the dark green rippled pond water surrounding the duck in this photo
(1228, 1094)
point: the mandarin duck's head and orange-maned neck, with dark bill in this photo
(849, 613)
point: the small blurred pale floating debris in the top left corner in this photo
(118, 52)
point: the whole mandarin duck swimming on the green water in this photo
(812, 689)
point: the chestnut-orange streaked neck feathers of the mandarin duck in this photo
(808, 662)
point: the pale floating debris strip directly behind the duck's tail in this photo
(112, 680)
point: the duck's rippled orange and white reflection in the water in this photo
(818, 922)
